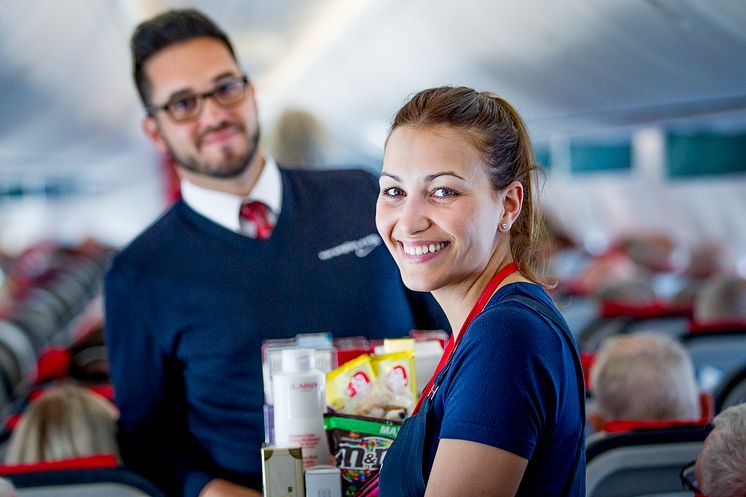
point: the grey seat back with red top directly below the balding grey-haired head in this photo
(642, 460)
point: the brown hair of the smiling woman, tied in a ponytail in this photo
(500, 136)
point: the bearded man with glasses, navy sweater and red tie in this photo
(251, 252)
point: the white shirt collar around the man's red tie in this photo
(222, 208)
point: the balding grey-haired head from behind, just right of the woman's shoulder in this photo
(643, 377)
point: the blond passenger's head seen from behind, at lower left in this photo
(66, 422)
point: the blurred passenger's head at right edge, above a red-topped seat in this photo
(722, 298)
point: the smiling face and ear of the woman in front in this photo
(433, 180)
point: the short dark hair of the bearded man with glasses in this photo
(164, 30)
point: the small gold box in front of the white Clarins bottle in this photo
(282, 472)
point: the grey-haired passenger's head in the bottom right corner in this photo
(721, 465)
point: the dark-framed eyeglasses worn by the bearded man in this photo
(229, 92)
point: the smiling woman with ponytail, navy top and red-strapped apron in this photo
(504, 413)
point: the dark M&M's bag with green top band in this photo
(359, 444)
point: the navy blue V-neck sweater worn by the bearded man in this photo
(189, 302)
